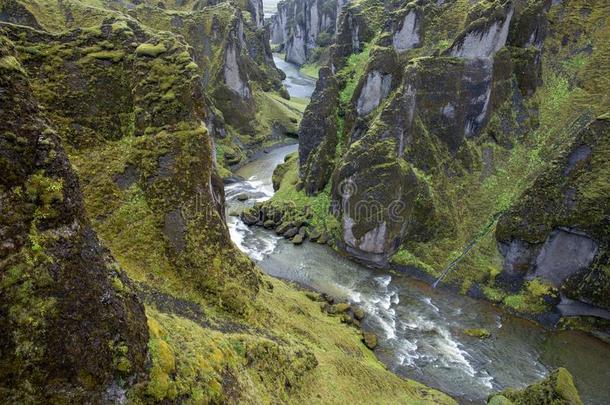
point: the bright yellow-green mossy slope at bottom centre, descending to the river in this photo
(194, 361)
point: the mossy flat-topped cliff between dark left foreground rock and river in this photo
(164, 178)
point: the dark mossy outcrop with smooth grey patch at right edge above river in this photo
(560, 218)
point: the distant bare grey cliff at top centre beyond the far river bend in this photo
(301, 26)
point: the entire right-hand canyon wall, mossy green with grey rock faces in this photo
(469, 138)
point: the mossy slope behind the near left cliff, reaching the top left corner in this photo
(229, 45)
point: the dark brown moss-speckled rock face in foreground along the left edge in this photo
(71, 326)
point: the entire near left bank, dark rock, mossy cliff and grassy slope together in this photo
(128, 106)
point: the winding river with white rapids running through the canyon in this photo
(420, 328)
